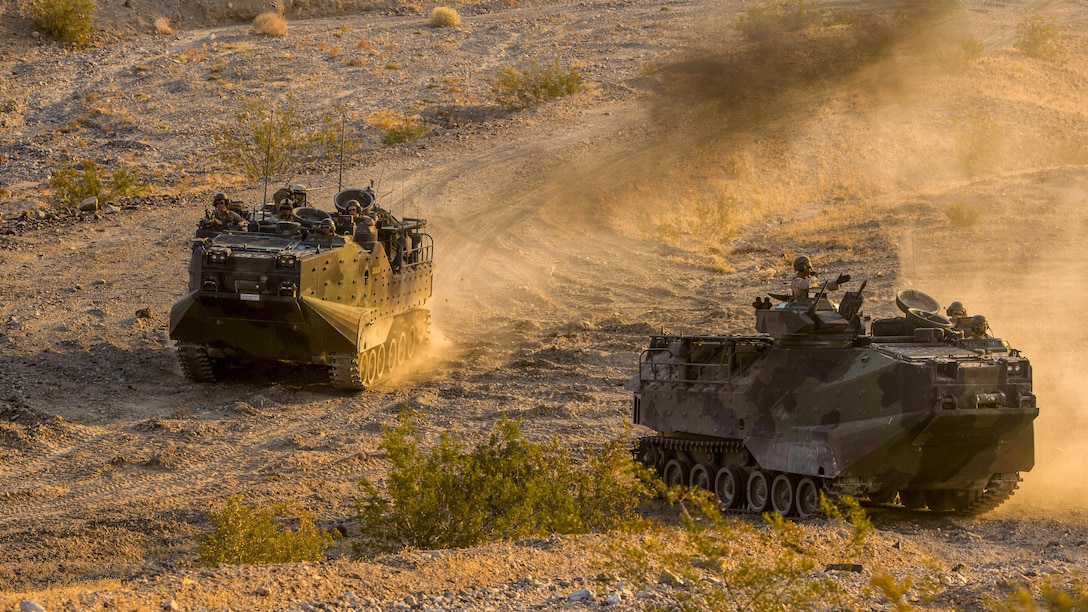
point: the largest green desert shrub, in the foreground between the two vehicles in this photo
(506, 487)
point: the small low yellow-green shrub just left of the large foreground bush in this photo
(251, 535)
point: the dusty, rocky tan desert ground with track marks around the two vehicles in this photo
(677, 187)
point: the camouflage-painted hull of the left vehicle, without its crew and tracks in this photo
(279, 293)
